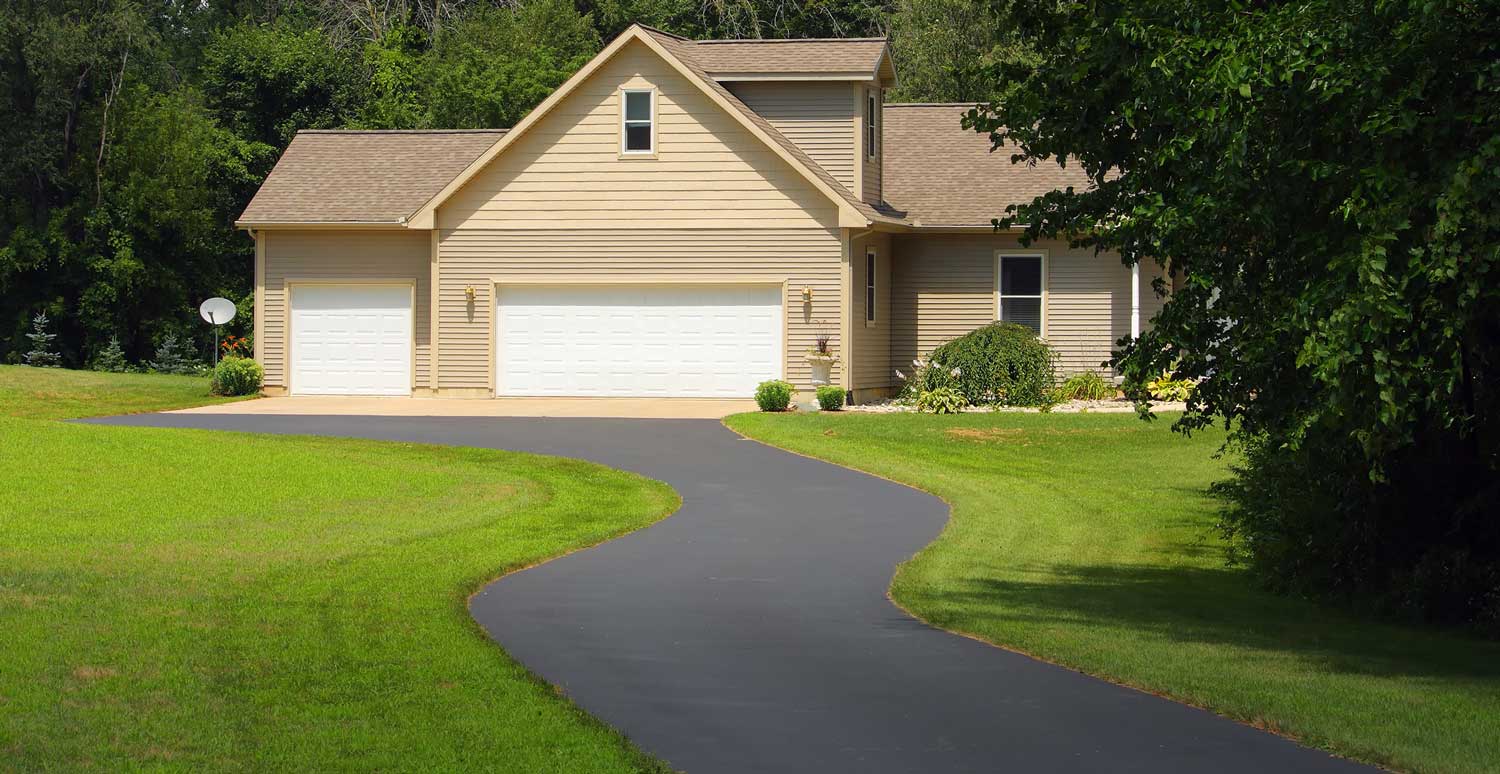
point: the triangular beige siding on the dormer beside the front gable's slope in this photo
(815, 116)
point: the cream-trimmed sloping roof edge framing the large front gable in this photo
(853, 212)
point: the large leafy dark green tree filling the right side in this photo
(1324, 181)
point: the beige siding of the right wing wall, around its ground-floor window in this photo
(944, 287)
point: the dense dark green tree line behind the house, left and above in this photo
(137, 130)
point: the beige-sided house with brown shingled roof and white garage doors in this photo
(682, 218)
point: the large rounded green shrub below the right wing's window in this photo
(1001, 364)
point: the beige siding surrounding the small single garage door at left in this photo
(332, 256)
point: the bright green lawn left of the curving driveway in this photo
(283, 604)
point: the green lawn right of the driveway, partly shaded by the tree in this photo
(1087, 541)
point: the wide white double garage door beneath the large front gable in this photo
(692, 341)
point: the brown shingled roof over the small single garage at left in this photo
(362, 178)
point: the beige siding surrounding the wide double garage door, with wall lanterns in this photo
(472, 257)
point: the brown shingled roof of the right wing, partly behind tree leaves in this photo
(947, 176)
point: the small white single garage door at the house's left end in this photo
(352, 340)
